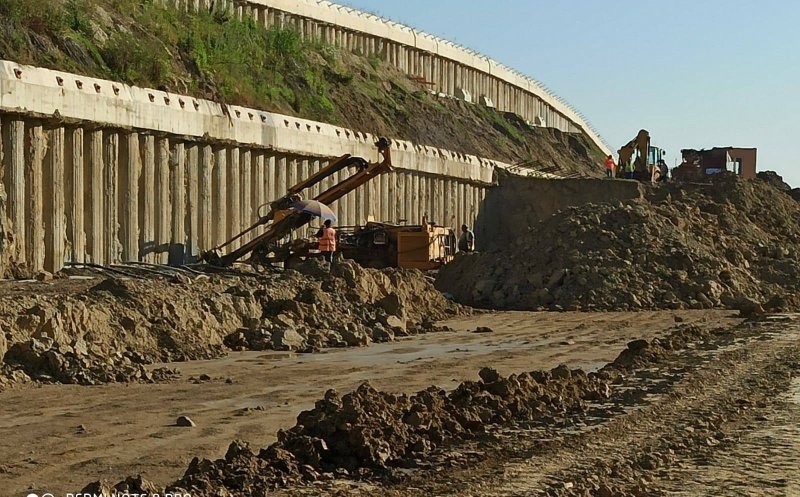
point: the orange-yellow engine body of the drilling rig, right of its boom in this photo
(424, 246)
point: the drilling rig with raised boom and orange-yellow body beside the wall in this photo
(425, 246)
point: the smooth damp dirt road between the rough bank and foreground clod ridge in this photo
(127, 429)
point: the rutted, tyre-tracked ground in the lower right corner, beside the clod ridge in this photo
(716, 418)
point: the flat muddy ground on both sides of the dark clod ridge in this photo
(68, 435)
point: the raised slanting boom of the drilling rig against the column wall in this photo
(282, 218)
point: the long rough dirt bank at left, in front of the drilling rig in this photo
(93, 332)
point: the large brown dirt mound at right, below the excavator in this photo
(678, 247)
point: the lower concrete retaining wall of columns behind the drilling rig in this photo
(97, 171)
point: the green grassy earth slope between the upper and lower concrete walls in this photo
(213, 56)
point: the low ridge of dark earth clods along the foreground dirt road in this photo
(368, 432)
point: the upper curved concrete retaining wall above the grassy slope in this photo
(441, 65)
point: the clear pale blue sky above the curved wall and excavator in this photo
(694, 73)
